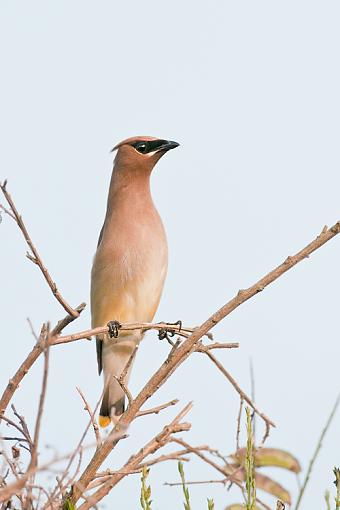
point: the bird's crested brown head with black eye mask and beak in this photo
(142, 152)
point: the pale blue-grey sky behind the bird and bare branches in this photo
(251, 92)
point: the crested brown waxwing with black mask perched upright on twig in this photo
(129, 266)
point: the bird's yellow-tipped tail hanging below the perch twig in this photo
(115, 357)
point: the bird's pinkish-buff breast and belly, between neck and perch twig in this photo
(128, 273)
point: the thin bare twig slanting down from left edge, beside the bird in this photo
(36, 257)
